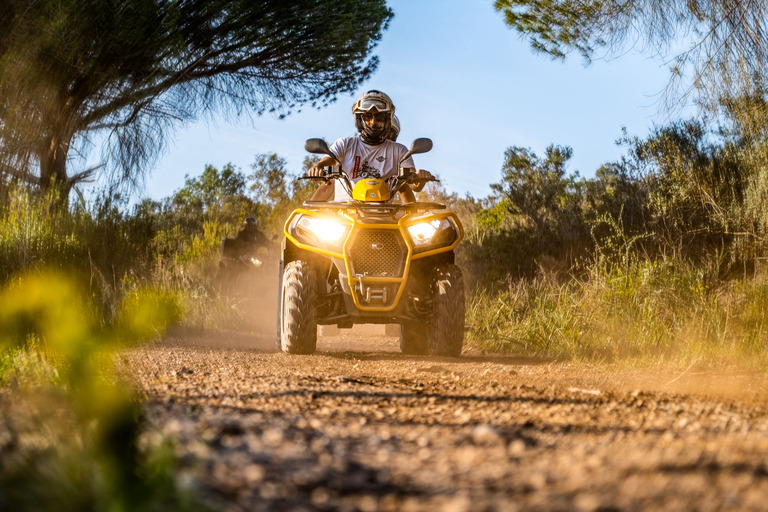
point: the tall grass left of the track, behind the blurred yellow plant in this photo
(118, 253)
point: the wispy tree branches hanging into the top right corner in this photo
(723, 56)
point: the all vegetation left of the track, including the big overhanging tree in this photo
(80, 280)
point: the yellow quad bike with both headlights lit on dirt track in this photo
(371, 261)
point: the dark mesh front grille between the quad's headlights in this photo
(377, 252)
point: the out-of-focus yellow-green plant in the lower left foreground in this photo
(75, 433)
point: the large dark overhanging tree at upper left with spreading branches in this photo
(132, 70)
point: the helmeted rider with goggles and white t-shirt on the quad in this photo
(370, 154)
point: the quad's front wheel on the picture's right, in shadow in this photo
(445, 335)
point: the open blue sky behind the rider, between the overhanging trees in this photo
(458, 75)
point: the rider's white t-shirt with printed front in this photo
(360, 161)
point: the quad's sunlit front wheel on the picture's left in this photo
(298, 318)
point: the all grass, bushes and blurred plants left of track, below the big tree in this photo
(79, 285)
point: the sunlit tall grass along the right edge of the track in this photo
(652, 312)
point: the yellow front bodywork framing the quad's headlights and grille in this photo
(353, 224)
